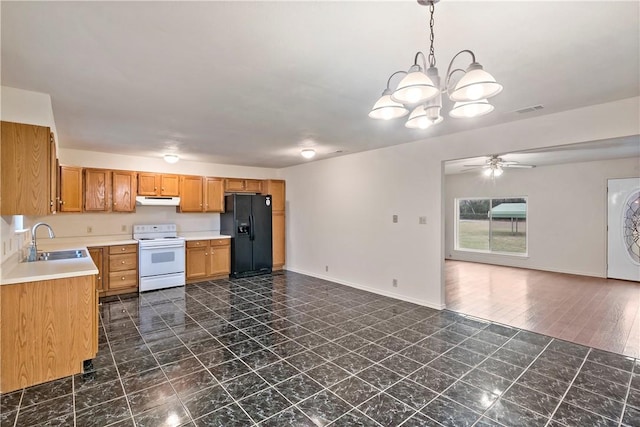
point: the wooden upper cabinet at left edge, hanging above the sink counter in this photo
(26, 161)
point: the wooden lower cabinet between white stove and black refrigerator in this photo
(207, 259)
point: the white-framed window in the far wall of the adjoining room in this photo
(492, 225)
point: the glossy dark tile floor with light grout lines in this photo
(292, 350)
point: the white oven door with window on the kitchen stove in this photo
(161, 259)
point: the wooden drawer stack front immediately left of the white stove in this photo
(120, 269)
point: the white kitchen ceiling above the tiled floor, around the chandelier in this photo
(251, 83)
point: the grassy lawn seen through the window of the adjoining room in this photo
(475, 235)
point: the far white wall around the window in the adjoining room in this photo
(567, 205)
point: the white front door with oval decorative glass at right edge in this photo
(623, 253)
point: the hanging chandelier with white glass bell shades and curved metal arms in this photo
(420, 91)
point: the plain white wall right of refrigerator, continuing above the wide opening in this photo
(339, 210)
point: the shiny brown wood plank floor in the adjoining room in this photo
(600, 313)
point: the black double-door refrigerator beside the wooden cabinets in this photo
(247, 219)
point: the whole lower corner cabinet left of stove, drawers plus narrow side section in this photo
(117, 268)
